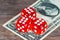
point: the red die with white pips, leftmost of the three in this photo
(22, 24)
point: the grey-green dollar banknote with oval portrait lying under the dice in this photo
(47, 10)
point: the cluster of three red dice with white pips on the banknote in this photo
(28, 21)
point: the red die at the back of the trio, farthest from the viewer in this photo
(29, 12)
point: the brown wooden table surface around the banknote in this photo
(10, 8)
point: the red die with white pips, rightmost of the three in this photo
(39, 26)
